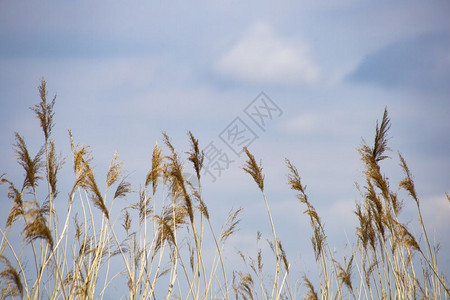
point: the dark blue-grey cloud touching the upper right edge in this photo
(418, 63)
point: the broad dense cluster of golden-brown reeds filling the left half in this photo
(157, 241)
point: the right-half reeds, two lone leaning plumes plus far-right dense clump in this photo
(391, 262)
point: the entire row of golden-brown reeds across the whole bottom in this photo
(157, 244)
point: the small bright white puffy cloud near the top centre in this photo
(261, 56)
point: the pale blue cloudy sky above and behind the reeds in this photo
(321, 75)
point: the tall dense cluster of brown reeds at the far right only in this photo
(386, 247)
